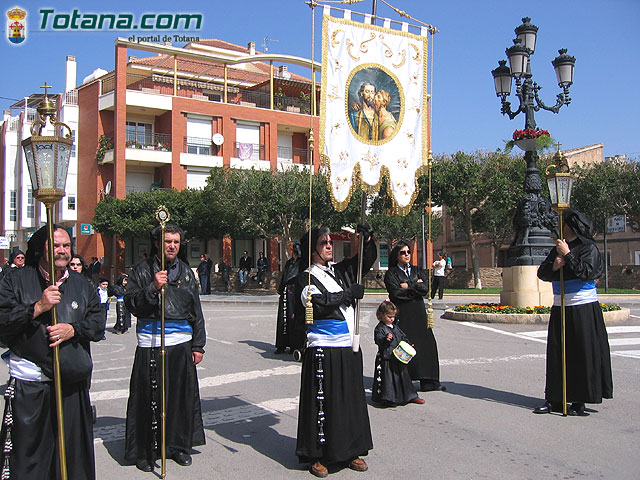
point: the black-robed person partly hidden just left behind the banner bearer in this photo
(286, 290)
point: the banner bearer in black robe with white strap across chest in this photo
(333, 422)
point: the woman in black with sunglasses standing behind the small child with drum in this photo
(407, 286)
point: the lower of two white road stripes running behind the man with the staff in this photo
(115, 433)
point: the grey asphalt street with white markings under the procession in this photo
(481, 427)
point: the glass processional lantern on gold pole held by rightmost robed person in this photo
(560, 186)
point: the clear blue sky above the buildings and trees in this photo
(602, 35)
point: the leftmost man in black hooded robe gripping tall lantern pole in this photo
(29, 447)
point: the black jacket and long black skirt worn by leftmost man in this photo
(32, 405)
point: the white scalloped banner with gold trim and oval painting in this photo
(374, 109)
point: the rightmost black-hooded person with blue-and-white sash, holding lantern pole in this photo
(588, 360)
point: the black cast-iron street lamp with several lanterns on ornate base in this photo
(534, 218)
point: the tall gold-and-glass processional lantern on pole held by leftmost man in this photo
(48, 162)
